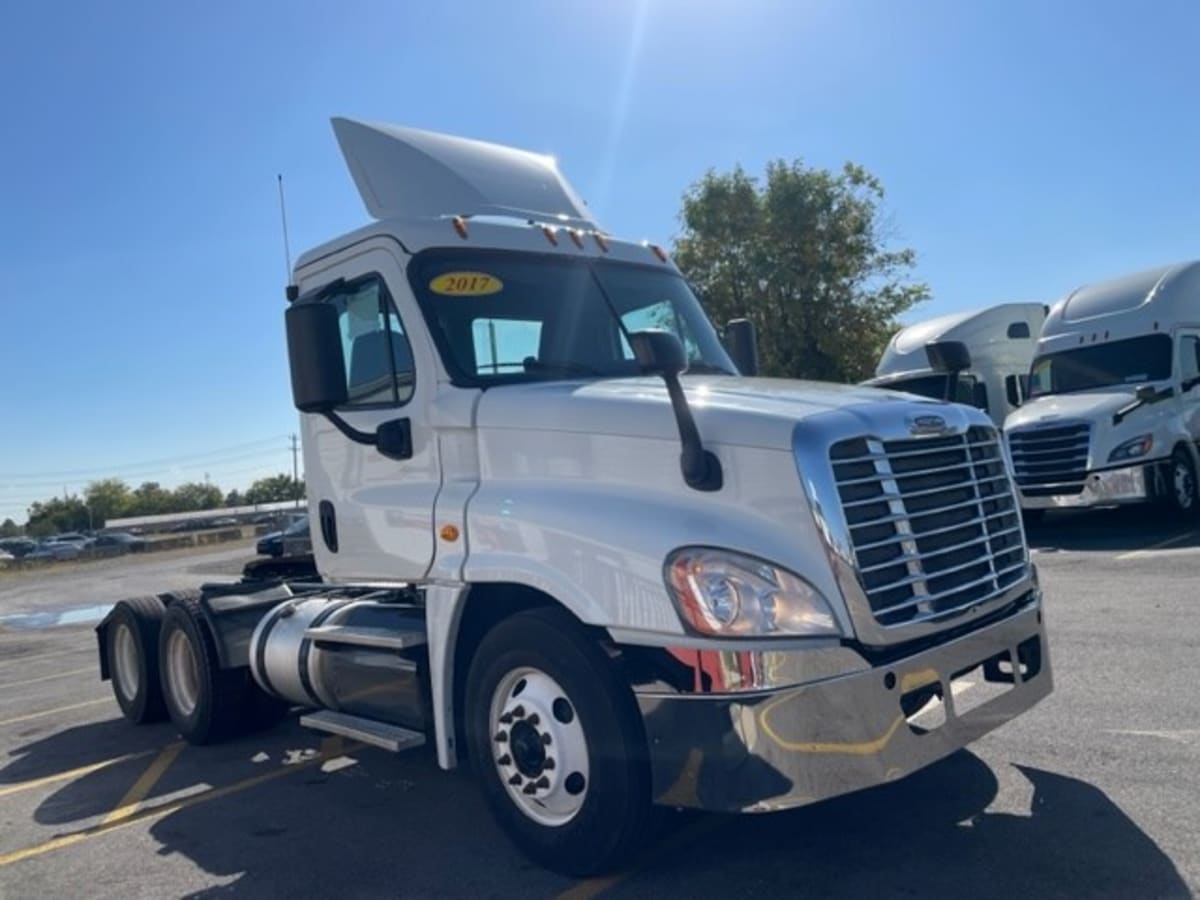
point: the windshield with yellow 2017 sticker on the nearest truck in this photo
(503, 317)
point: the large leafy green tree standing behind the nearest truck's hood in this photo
(807, 259)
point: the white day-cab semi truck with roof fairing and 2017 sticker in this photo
(561, 537)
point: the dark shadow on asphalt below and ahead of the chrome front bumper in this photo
(933, 836)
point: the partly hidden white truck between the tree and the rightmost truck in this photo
(999, 340)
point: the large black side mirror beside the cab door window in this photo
(315, 353)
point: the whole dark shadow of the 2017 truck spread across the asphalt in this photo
(369, 824)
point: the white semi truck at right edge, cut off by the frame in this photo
(1114, 409)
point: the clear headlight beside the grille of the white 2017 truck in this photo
(728, 595)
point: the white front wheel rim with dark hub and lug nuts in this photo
(539, 748)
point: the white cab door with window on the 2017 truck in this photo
(370, 513)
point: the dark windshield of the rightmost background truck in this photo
(1135, 361)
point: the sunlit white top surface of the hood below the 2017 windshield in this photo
(749, 412)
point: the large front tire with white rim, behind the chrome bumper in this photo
(556, 740)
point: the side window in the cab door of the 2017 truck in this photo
(379, 357)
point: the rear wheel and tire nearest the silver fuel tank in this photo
(206, 703)
